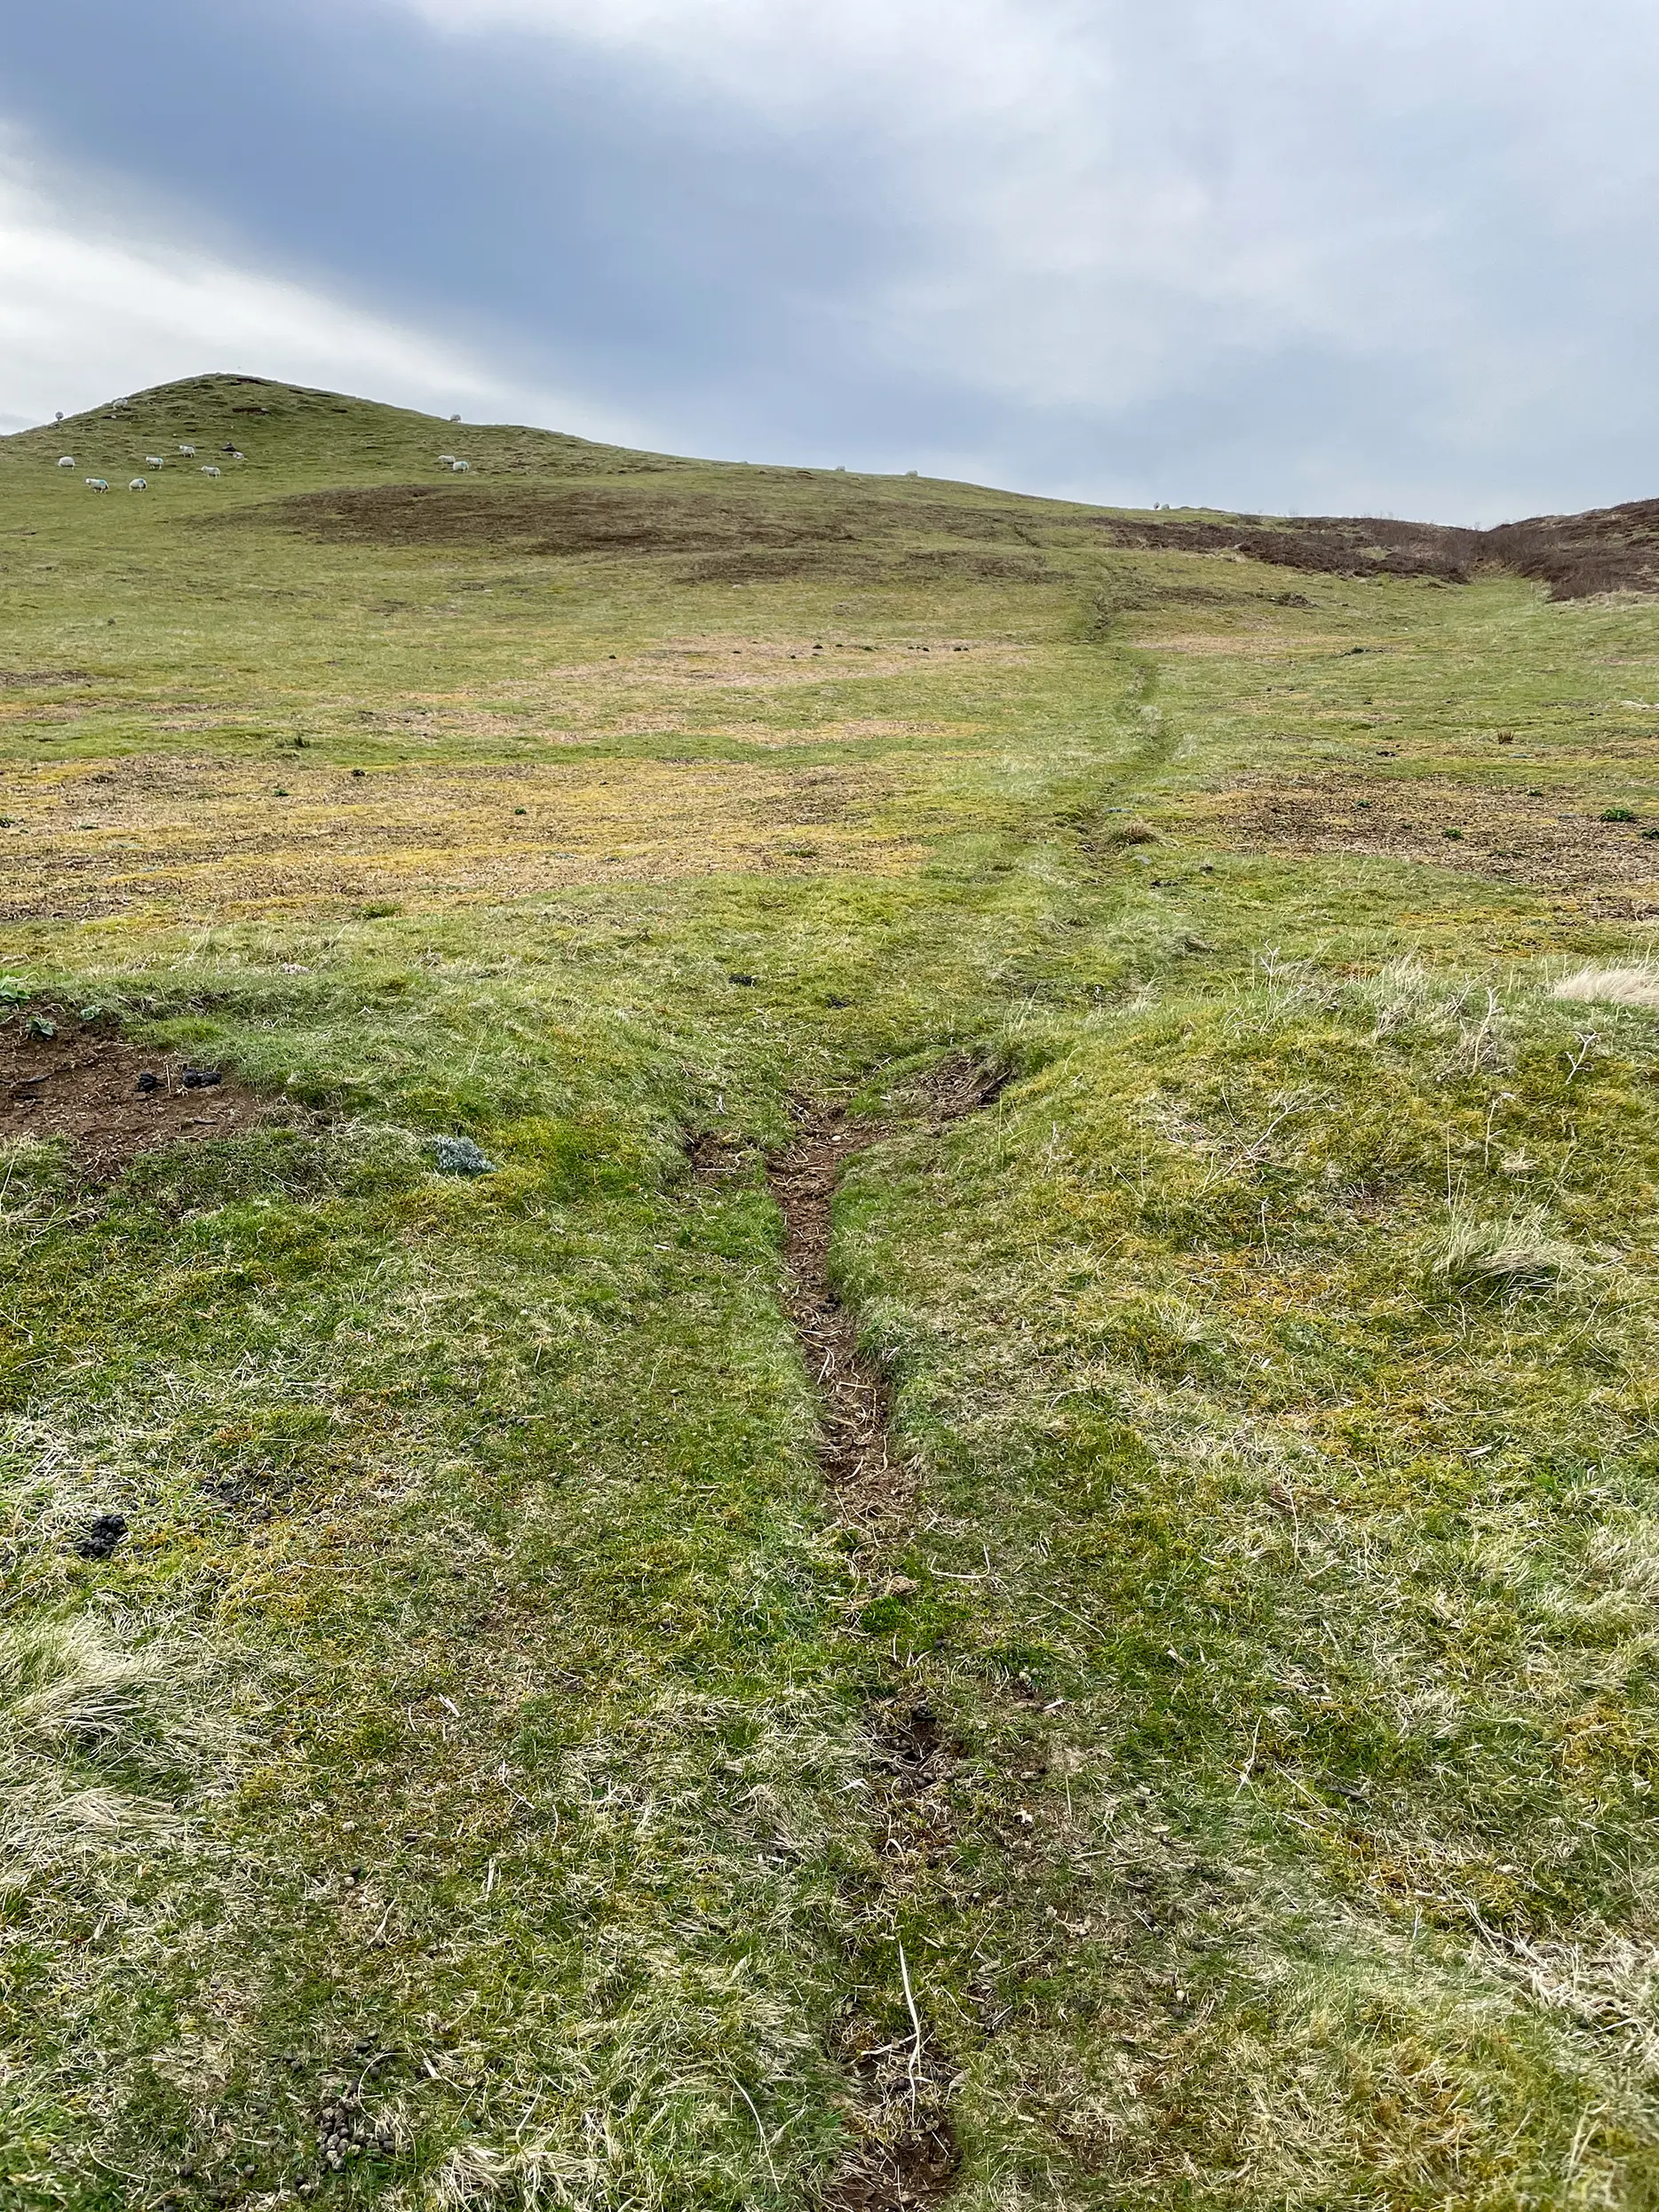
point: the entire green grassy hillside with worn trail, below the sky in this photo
(510, 1693)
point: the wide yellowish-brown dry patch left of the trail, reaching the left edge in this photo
(218, 837)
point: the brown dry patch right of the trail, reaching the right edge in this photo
(1501, 833)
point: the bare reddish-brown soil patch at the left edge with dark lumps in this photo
(83, 1085)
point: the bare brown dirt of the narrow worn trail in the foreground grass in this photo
(906, 2158)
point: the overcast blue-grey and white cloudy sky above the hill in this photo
(1288, 255)
